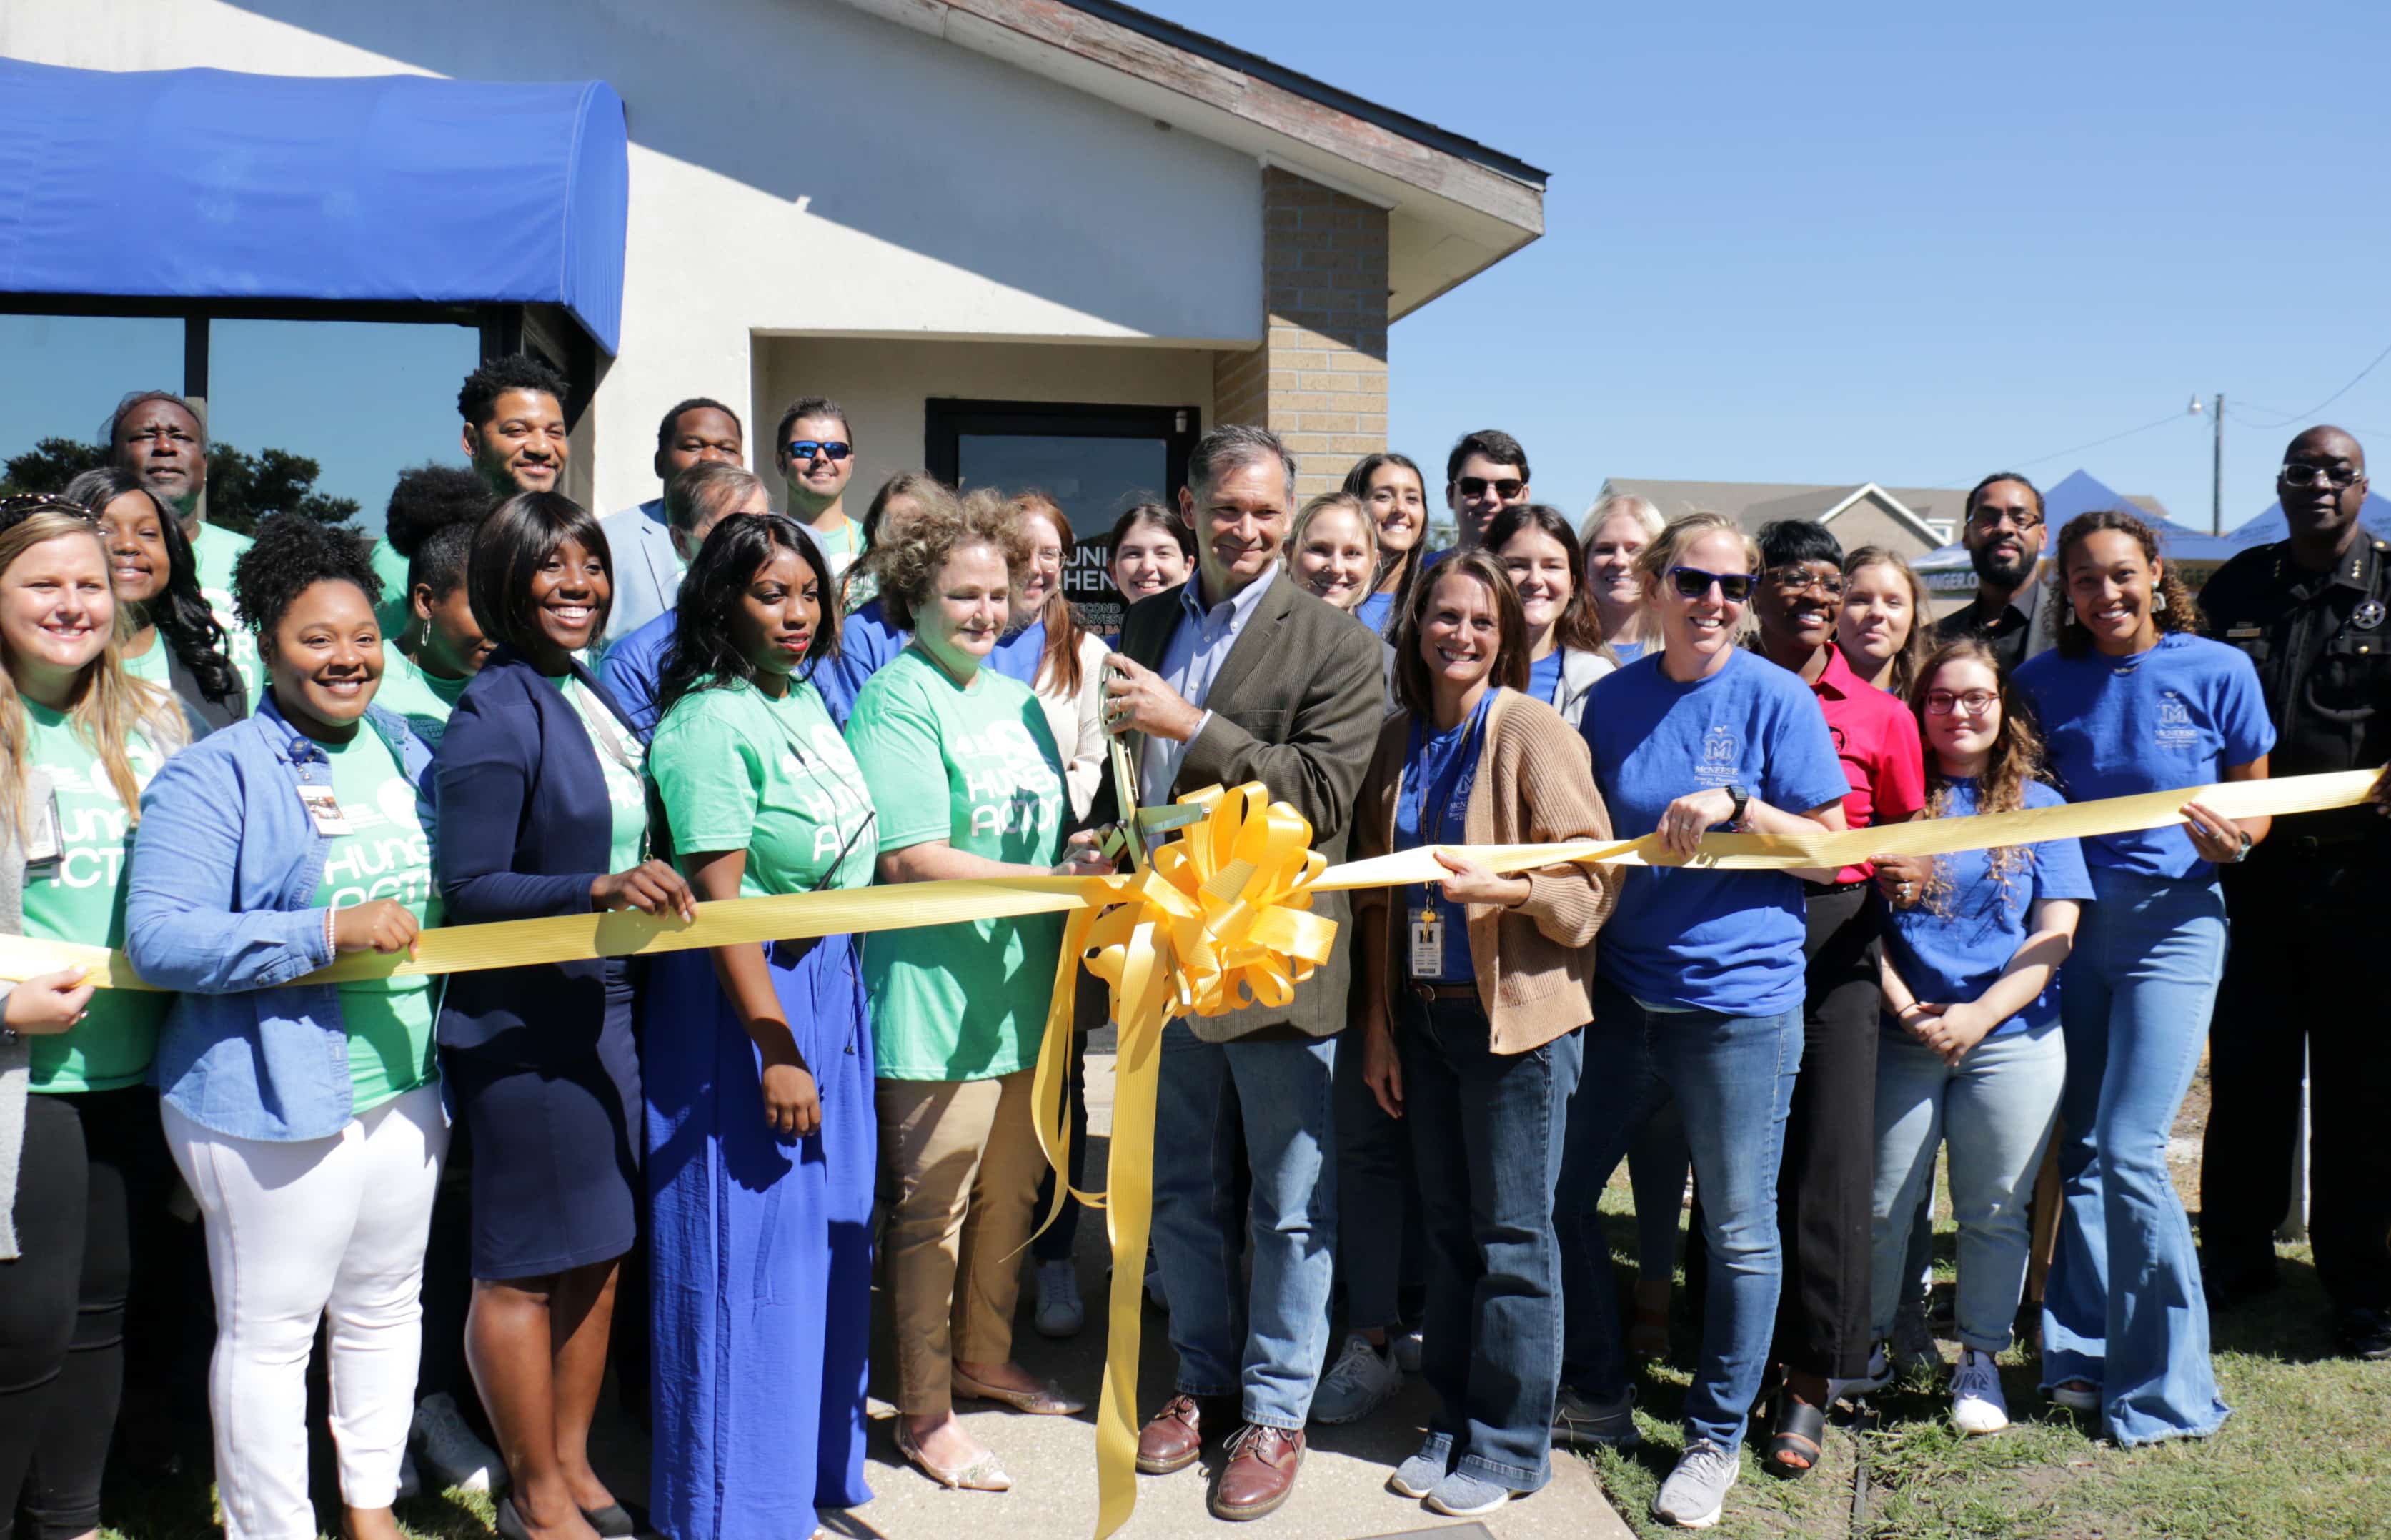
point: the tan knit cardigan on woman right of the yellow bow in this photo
(1536, 786)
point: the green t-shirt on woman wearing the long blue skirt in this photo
(742, 771)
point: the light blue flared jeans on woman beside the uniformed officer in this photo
(2124, 1304)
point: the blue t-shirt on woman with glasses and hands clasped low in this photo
(1955, 946)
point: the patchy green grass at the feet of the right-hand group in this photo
(2304, 1457)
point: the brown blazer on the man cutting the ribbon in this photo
(1295, 707)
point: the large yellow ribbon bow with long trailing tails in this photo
(1216, 922)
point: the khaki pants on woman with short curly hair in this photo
(962, 1166)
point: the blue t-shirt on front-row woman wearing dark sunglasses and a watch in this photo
(1708, 941)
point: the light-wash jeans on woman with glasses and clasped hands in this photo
(1995, 1111)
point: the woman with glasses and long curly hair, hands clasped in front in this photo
(1971, 1049)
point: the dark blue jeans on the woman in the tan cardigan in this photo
(1486, 1142)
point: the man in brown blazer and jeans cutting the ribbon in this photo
(1240, 676)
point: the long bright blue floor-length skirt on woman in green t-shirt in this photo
(764, 1252)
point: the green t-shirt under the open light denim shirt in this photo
(386, 855)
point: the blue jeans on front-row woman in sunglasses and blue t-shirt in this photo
(1732, 1080)
